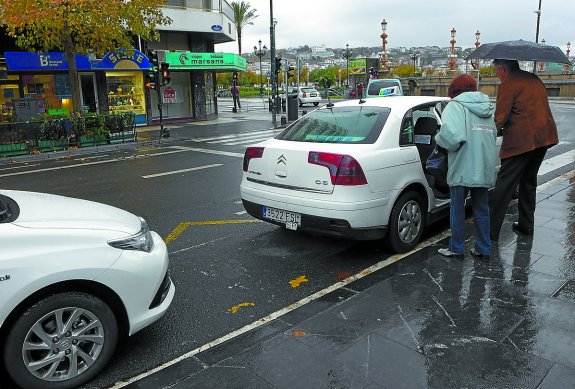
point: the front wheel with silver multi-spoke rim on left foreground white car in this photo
(62, 341)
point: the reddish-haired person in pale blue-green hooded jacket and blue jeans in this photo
(468, 133)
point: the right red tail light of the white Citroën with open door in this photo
(343, 169)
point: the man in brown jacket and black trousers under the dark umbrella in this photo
(523, 116)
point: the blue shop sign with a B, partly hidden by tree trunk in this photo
(21, 60)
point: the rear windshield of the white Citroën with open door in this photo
(357, 124)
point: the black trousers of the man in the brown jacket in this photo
(518, 170)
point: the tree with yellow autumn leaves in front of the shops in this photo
(80, 27)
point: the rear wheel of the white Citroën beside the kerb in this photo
(406, 223)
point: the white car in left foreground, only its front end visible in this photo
(75, 276)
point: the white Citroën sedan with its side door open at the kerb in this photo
(354, 169)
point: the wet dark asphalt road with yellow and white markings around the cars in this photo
(227, 274)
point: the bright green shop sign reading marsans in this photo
(206, 61)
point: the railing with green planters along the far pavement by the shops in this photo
(39, 136)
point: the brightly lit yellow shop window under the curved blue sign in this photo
(125, 92)
